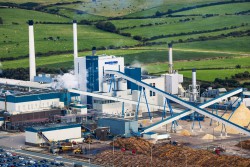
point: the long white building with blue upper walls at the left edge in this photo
(16, 102)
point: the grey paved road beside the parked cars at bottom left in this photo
(66, 161)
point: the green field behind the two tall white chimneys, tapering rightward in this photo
(14, 44)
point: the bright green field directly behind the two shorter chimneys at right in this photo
(206, 75)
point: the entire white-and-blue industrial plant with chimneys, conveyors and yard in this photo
(109, 101)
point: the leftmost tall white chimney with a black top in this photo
(32, 59)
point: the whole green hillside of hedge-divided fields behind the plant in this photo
(54, 36)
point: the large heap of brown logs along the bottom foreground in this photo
(167, 155)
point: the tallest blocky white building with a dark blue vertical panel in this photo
(89, 71)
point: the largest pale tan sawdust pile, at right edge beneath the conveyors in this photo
(240, 117)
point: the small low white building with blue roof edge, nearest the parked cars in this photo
(45, 134)
